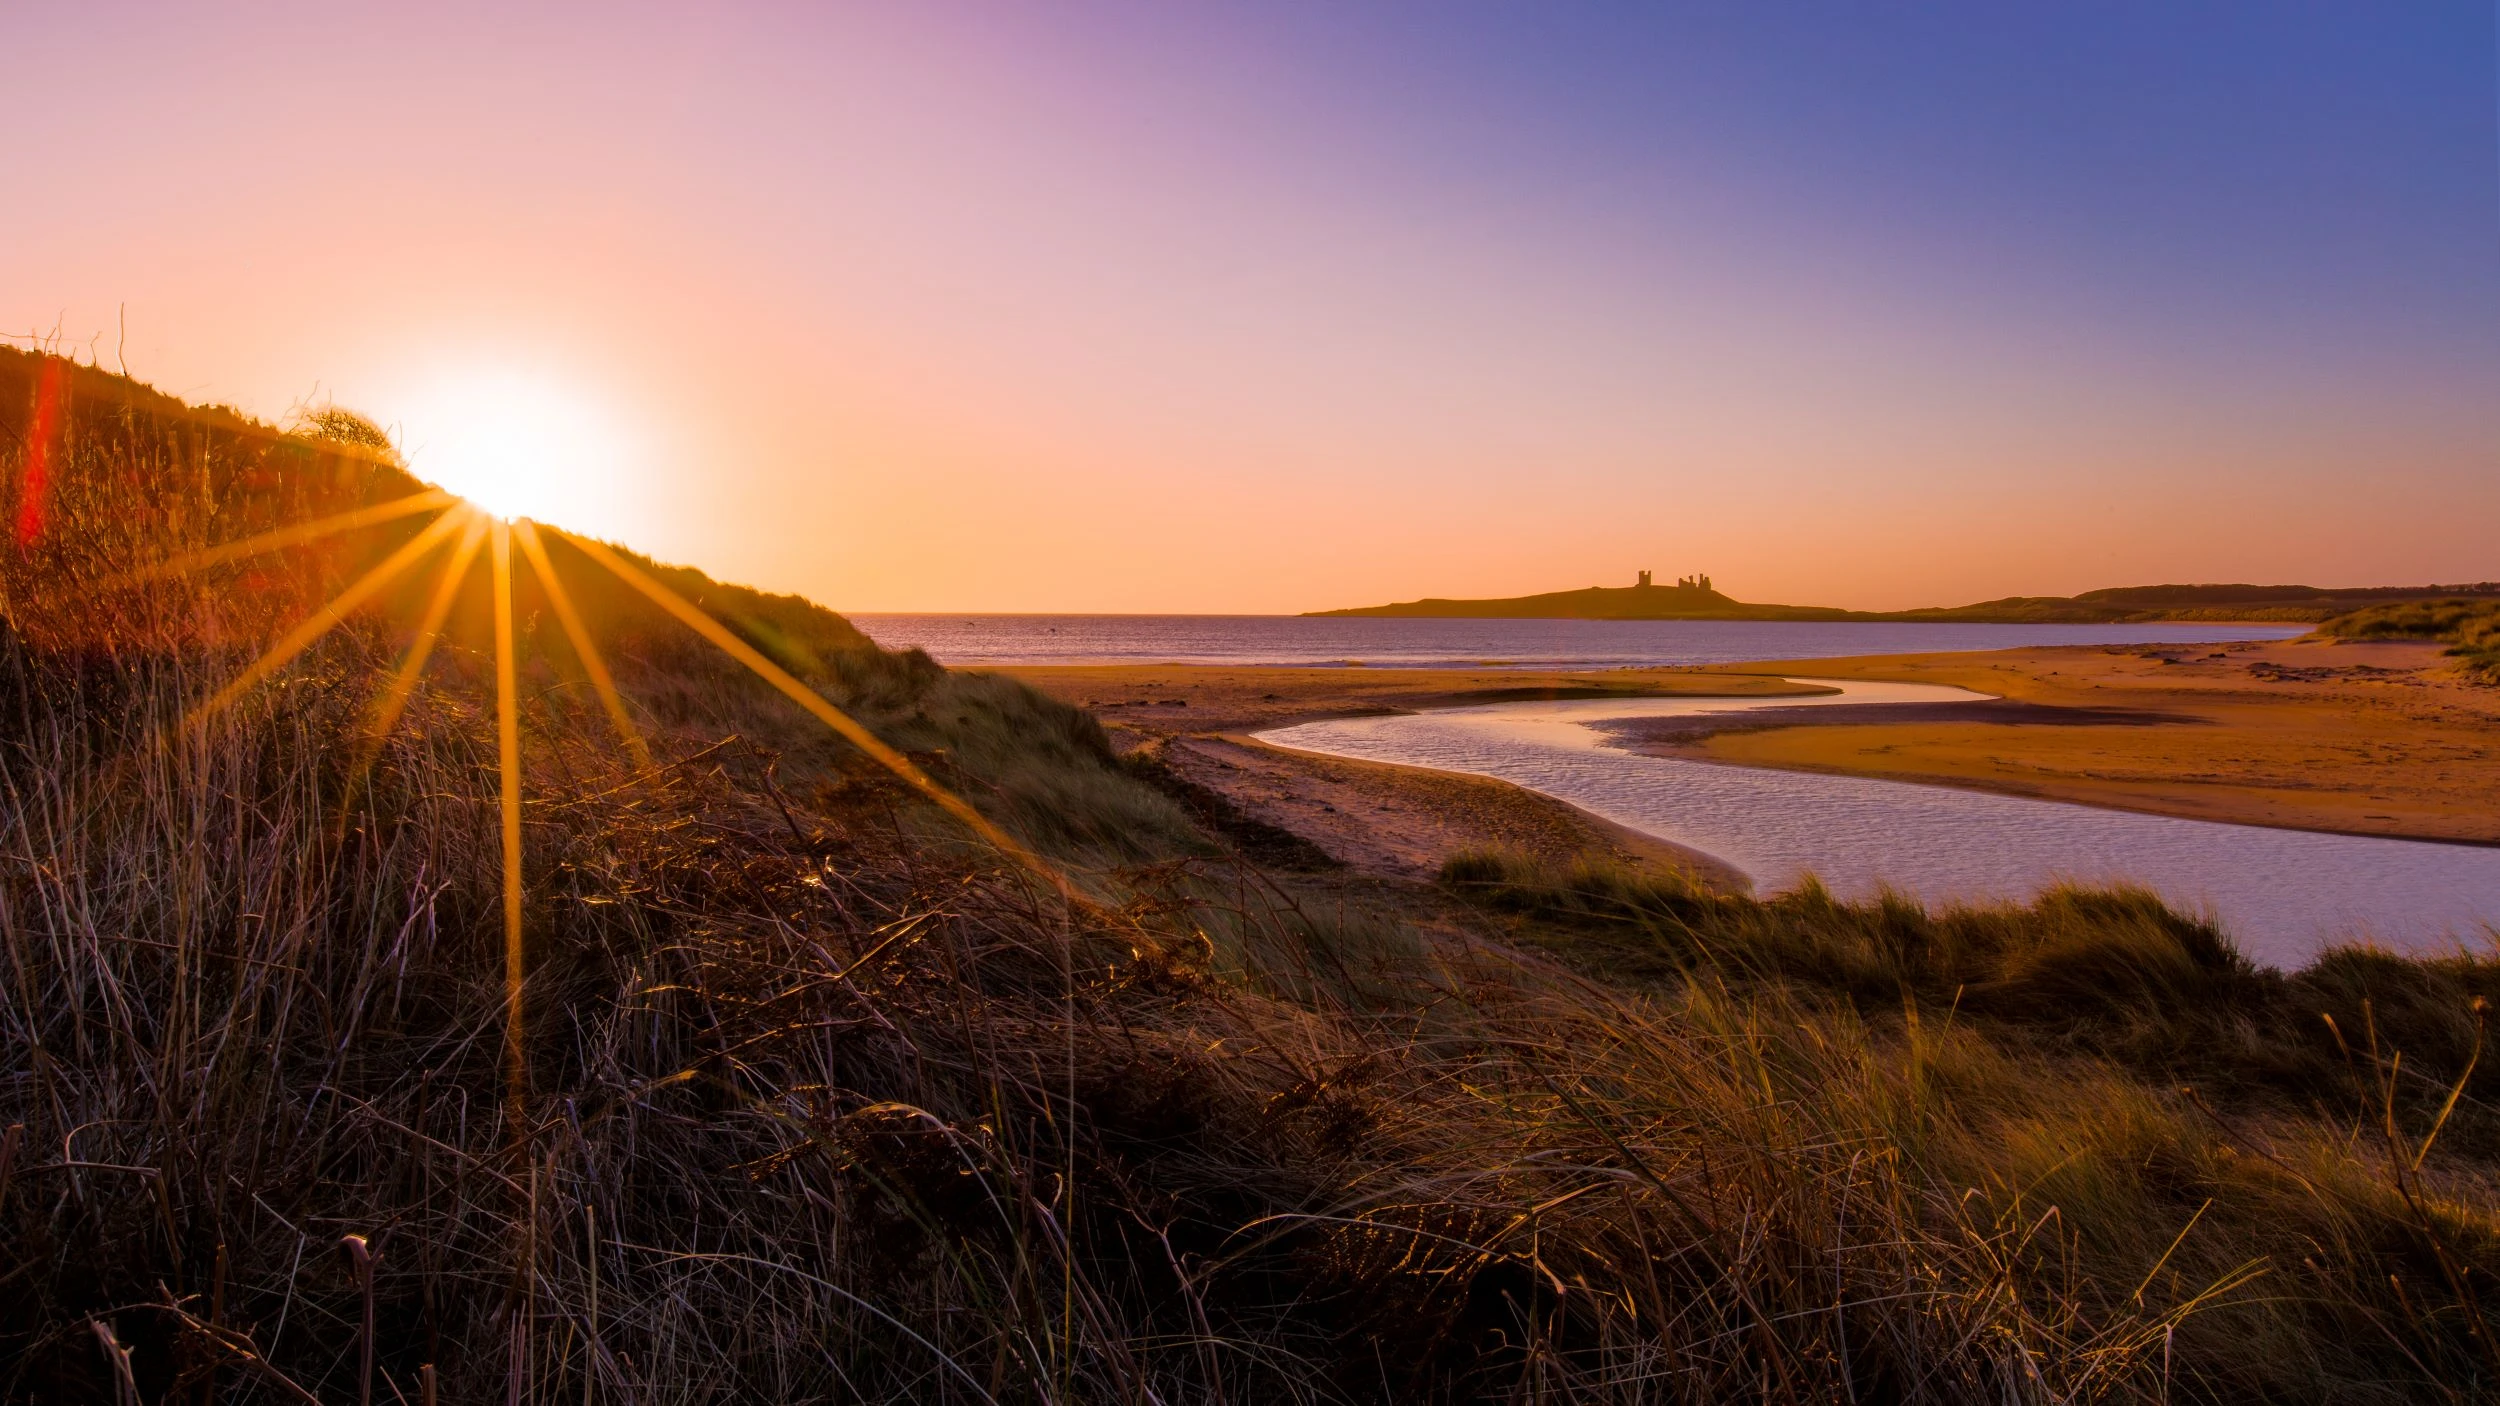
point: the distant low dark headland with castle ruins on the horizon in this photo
(2291, 604)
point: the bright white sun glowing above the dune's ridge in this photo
(524, 447)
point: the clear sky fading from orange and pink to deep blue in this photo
(1309, 304)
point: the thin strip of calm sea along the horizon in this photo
(1519, 644)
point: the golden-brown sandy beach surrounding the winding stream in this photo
(2379, 739)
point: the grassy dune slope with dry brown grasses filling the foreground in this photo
(804, 1090)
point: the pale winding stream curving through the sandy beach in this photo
(2281, 894)
